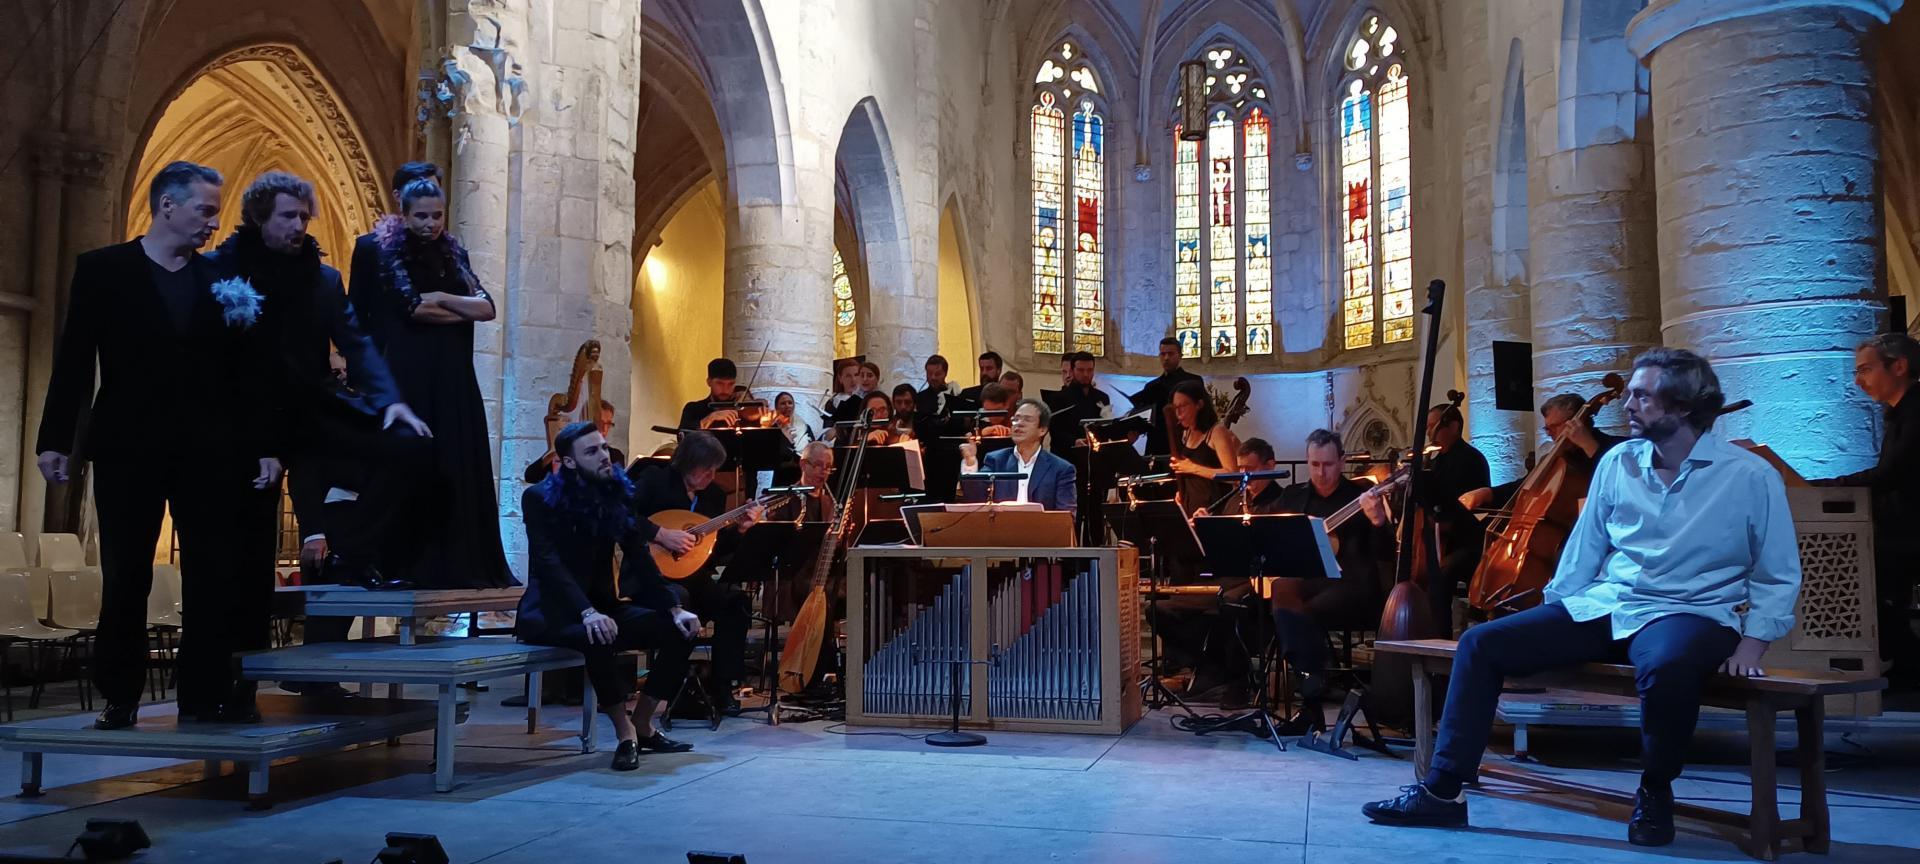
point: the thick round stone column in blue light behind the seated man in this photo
(1769, 210)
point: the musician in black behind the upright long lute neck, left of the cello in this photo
(1456, 471)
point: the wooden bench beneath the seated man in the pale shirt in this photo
(1762, 698)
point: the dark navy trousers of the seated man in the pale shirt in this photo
(1671, 660)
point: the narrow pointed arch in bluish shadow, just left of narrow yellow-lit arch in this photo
(865, 158)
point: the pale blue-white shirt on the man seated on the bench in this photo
(1719, 542)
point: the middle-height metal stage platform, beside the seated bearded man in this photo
(444, 663)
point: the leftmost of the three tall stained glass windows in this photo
(1068, 206)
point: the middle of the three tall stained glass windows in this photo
(1224, 299)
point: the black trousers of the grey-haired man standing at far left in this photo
(226, 598)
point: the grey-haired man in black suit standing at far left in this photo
(176, 423)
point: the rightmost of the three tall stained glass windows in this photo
(1376, 181)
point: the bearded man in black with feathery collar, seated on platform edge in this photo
(575, 519)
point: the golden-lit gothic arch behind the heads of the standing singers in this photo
(258, 108)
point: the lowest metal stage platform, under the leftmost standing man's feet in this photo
(291, 729)
